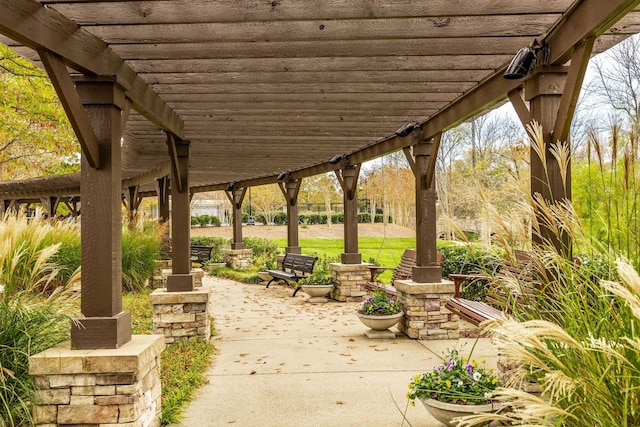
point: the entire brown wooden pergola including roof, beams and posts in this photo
(183, 96)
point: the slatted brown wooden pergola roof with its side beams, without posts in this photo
(262, 87)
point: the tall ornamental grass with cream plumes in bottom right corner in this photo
(577, 335)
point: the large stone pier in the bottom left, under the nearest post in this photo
(99, 388)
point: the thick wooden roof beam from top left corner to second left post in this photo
(31, 24)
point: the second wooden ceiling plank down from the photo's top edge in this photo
(314, 30)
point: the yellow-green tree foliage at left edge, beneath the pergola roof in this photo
(36, 138)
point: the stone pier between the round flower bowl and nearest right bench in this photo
(425, 314)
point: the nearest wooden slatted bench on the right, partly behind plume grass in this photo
(520, 270)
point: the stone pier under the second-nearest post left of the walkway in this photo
(181, 315)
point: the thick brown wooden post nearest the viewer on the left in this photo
(105, 324)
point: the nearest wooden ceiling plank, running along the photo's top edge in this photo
(145, 12)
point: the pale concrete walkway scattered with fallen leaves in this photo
(284, 362)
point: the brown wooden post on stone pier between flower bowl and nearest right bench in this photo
(422, 162)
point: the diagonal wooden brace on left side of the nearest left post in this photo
(72, 105)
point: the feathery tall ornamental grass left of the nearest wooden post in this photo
(35, 308)
